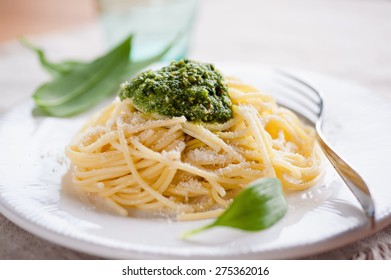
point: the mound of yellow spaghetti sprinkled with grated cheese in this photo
(136, 161)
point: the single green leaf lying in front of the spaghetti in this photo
(259, 206)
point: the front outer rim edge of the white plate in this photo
(287, 252)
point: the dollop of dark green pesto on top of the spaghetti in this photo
(184, 88)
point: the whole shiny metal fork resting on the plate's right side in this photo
(307, 102)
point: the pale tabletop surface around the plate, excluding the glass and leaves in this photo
(350, 39)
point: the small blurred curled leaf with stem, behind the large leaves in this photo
(55, 69)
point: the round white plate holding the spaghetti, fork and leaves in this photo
(32, 165)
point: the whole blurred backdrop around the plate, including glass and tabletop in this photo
(347, 39)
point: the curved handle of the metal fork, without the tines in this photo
(352, 179)
